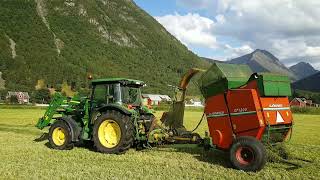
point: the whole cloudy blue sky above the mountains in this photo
(225, 29)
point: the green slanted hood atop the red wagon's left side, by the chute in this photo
(221, 77)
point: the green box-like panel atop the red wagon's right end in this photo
(274, 85)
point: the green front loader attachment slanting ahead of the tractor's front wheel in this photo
(57, 101)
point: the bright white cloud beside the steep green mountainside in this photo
(195, 30)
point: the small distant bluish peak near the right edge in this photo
(303, 69)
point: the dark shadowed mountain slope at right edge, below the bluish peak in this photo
(310, 83)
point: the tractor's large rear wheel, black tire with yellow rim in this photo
(113, 133)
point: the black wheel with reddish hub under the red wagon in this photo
(248, 154)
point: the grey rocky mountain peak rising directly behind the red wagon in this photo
(263, 61)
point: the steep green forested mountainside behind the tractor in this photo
(63, 41)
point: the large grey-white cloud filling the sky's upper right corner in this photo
(285, 27)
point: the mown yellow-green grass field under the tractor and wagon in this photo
(22, 158)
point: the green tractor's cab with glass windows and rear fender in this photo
(119, 94)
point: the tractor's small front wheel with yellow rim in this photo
(65, 144)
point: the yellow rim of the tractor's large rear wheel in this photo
(109, 133)
